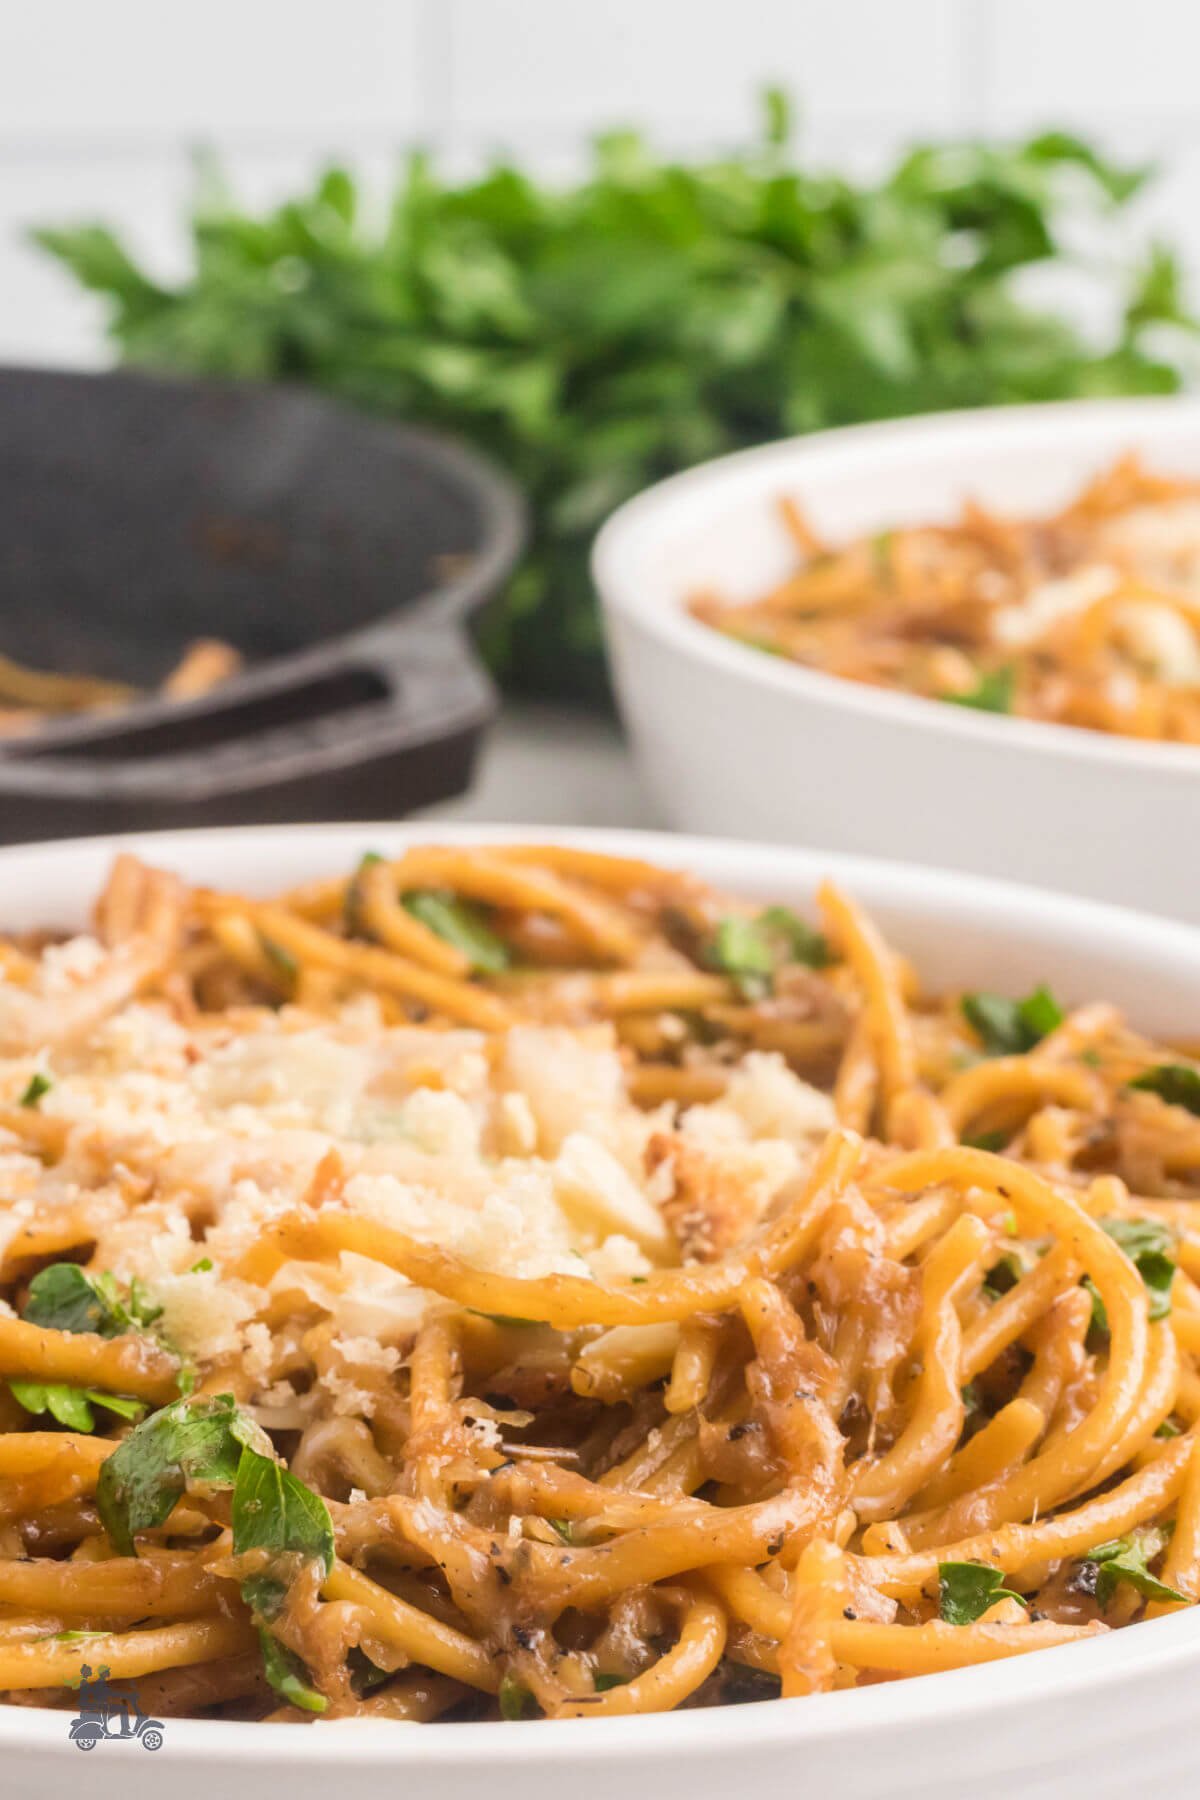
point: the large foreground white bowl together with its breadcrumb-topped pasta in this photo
(717, 1038)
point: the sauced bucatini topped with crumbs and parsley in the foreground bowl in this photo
(523, 1282)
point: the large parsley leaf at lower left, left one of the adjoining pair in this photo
(186, 1446)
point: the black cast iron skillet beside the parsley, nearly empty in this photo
(339, 553)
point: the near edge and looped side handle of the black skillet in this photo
(406, 744)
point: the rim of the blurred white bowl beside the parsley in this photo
(726, 480)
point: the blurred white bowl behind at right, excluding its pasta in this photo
(746, 744)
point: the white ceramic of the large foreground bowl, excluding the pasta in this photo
(1091, 1720)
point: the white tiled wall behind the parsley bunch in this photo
(100, 100)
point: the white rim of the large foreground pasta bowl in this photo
(1097, 1668)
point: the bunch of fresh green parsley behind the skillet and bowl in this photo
(600, 336)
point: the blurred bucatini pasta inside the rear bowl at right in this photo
(1086, 618)
